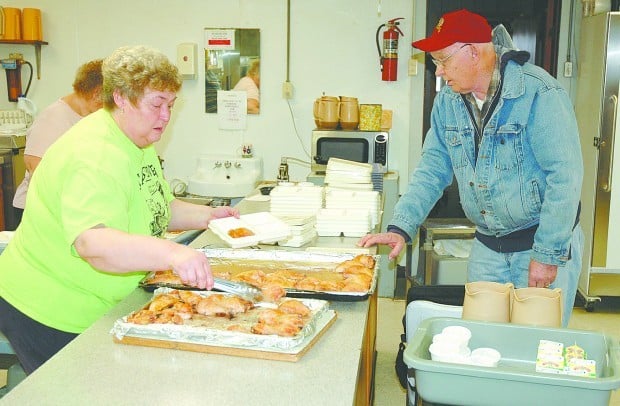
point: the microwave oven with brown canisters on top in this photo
(359, 146)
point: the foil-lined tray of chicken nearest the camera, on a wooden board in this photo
(226, 320)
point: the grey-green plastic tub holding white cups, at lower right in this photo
(514, 381)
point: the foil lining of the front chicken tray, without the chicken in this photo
(321, 315)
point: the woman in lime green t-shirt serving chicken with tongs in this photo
(96, 213)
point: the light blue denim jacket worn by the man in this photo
(529, 167)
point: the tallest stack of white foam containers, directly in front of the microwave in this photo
(346, 174)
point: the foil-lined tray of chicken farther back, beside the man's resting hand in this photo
(302, 274)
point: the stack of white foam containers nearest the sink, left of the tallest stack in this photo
(301, 199)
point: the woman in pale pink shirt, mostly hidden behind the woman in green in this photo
(57, 118)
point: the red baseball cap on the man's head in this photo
(456, 26)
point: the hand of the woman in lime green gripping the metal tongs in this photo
(192, 266)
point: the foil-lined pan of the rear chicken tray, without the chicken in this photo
(304, 261)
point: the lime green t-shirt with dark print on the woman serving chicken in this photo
(92, 175)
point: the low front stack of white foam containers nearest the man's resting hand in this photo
(348, 222)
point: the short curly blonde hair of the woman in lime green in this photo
(131, 70)
